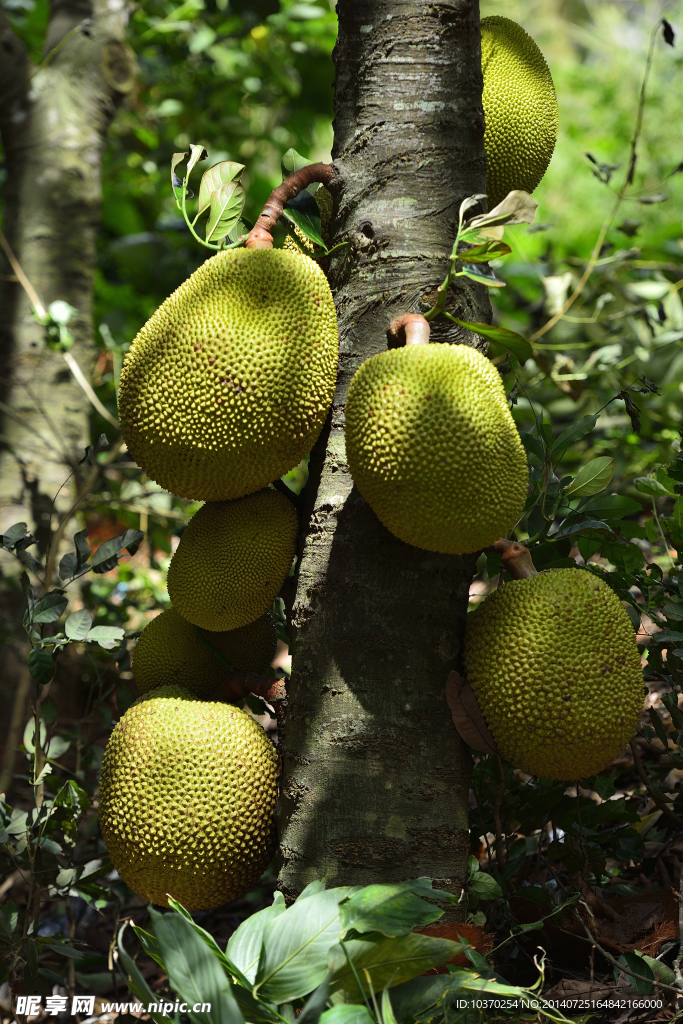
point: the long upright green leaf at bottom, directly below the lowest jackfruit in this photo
(194, 973)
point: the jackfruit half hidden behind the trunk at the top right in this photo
(521, 109)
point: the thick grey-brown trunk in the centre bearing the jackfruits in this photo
(376, 780)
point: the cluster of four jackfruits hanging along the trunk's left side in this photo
(225, 390)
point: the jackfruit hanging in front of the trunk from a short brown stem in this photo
(433, 447)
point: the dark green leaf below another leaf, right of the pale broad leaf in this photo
(390, 961)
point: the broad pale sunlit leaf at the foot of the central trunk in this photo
(295, 947)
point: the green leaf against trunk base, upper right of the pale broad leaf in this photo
(393, 910)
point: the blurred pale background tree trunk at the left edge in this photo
(54, 121)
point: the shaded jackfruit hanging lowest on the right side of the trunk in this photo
(553, 663)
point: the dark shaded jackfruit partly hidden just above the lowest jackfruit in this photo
(169, 653)
